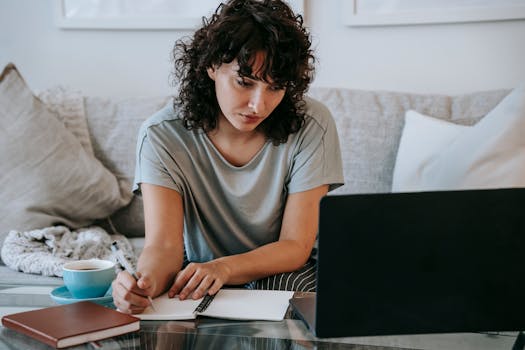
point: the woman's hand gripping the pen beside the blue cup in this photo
(130, 296)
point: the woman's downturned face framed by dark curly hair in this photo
(244, 101)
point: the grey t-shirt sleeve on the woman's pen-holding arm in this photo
(150, 166)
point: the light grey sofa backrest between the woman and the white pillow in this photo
(370, 123)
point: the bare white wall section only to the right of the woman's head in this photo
(446, 58)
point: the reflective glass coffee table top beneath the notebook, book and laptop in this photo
(207, 333)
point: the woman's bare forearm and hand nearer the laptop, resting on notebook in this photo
(290, 252)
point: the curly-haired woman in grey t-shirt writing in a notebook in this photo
(232, 173)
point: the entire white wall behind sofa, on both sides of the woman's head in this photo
(448, 58)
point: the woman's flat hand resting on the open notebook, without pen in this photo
(199, 279)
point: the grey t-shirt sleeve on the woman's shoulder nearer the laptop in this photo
(317, 159)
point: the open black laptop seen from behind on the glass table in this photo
(425, 262)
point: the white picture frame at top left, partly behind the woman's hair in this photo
(137, 14)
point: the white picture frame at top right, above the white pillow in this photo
(410, 12)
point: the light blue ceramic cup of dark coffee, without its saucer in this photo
(88, 278)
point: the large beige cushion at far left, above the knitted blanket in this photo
(48, 178)
